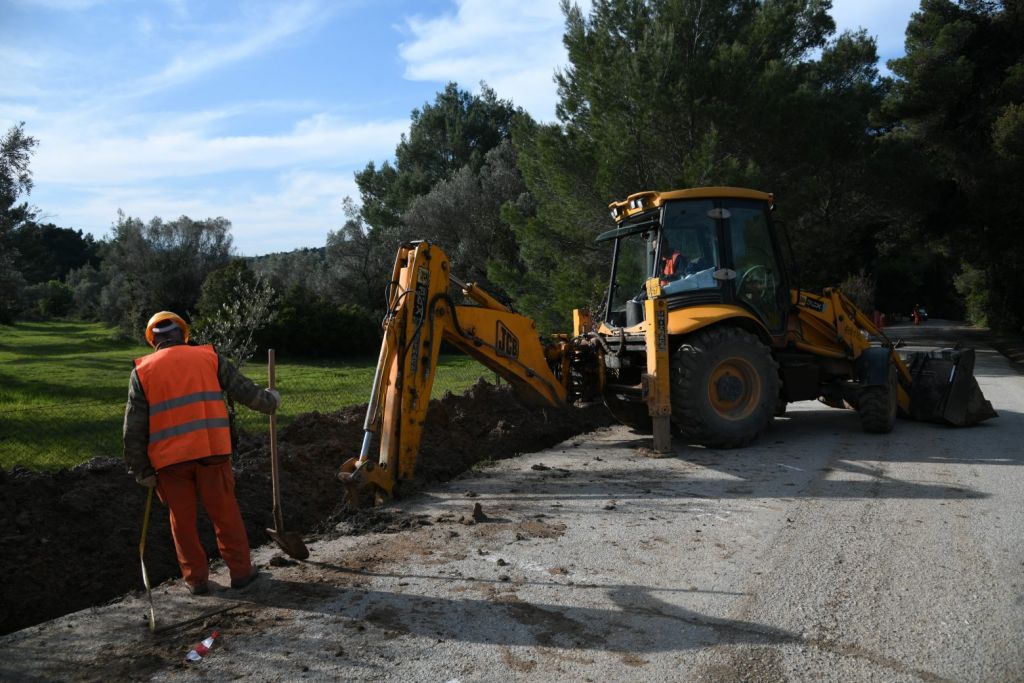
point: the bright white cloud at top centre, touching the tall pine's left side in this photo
(515, 46)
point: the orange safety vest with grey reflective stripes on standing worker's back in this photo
(188, 416)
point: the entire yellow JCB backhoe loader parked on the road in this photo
(701, 335)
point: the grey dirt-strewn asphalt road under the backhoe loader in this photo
(819, 554)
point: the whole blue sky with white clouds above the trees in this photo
(262, 112)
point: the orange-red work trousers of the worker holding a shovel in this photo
(181, 487)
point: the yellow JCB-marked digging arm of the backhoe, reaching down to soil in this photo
(421, 315)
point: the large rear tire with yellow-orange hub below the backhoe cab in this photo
(724, 388)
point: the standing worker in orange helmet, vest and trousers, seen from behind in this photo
(178, 440)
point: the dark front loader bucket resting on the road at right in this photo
(946, 391)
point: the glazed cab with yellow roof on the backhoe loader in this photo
(706, 246)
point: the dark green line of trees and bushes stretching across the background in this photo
(901, 189)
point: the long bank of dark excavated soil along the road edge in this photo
(70, 540)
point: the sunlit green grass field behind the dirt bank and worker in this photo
(64, 387)
